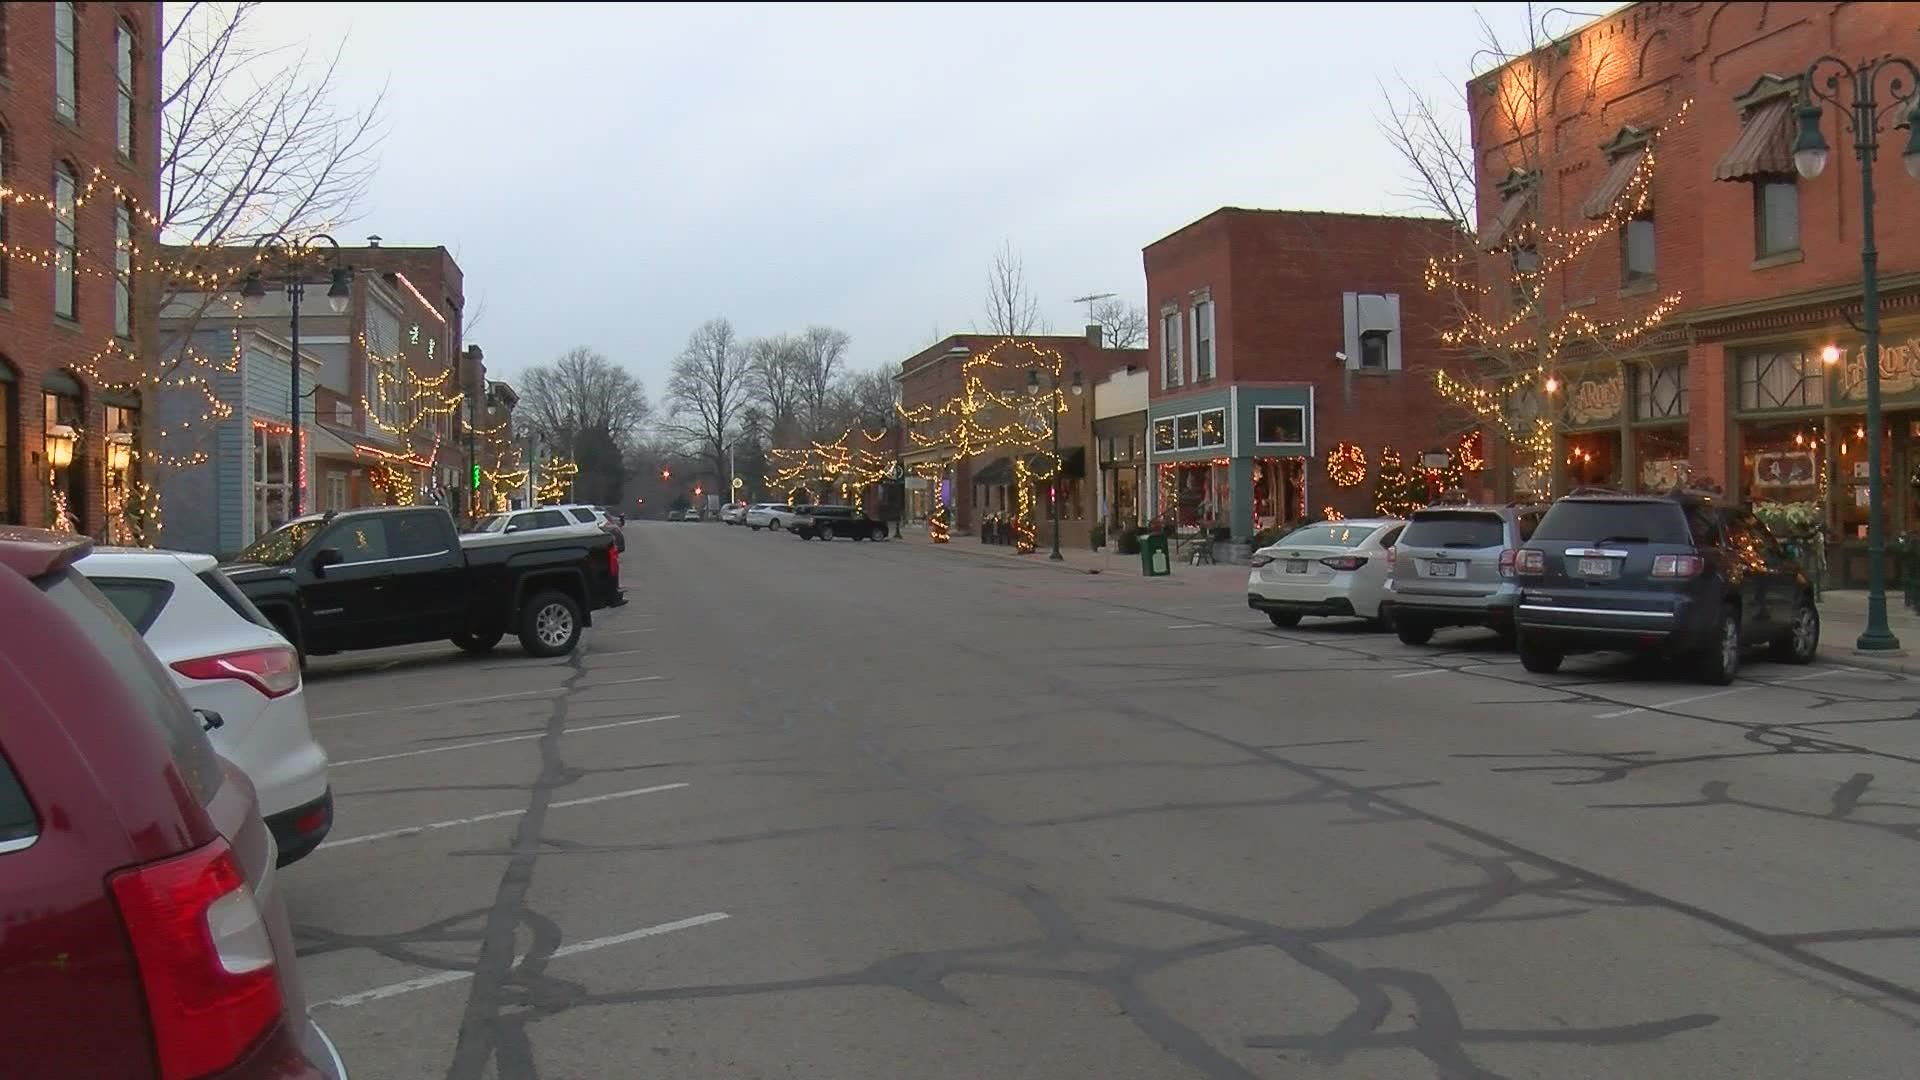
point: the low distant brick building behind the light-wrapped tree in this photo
(982, 485)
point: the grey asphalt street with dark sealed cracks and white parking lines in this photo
(892, 812)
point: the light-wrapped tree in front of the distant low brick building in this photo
(982, 420)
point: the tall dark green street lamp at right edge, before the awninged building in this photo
(1863, 116)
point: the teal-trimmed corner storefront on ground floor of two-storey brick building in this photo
(1234, 458)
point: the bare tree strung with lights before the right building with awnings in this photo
(1518, 285)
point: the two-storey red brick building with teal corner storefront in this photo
(1276, 341)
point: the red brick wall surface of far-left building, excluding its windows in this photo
(34, 341)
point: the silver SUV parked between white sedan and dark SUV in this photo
(1454, 568)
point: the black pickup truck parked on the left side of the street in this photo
(366, 579)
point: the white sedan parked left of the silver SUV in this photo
(1332, 568)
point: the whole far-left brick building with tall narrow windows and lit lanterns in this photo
(80, 118)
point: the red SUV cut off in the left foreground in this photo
(141, 929)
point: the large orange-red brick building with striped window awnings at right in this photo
(1756, 380)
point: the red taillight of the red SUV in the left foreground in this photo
(204, 956)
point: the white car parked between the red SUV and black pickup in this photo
(229, 660)
